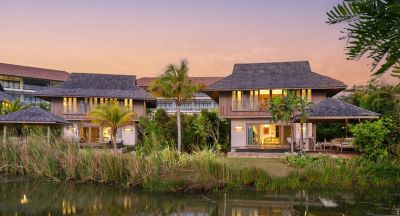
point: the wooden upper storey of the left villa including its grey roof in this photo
(81, 92)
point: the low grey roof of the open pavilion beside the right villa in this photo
(334, 108)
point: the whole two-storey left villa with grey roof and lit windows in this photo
(81, 92)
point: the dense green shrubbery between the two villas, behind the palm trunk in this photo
(201, 131)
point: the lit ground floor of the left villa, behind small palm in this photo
(87, 133)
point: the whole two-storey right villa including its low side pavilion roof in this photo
(244, 98)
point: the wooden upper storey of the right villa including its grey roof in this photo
(248, 91)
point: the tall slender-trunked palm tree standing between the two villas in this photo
(174, 84)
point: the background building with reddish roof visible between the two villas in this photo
(199, 101)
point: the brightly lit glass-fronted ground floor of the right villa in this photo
(265, 134)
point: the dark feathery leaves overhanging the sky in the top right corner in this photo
(372, 30)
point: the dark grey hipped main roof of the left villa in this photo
(97, 85)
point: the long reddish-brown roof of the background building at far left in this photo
(33, 72)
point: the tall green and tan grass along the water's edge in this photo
(168, 170)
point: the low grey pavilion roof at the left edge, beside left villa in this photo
(32, 115)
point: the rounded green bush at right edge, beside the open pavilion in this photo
(374, 139)
